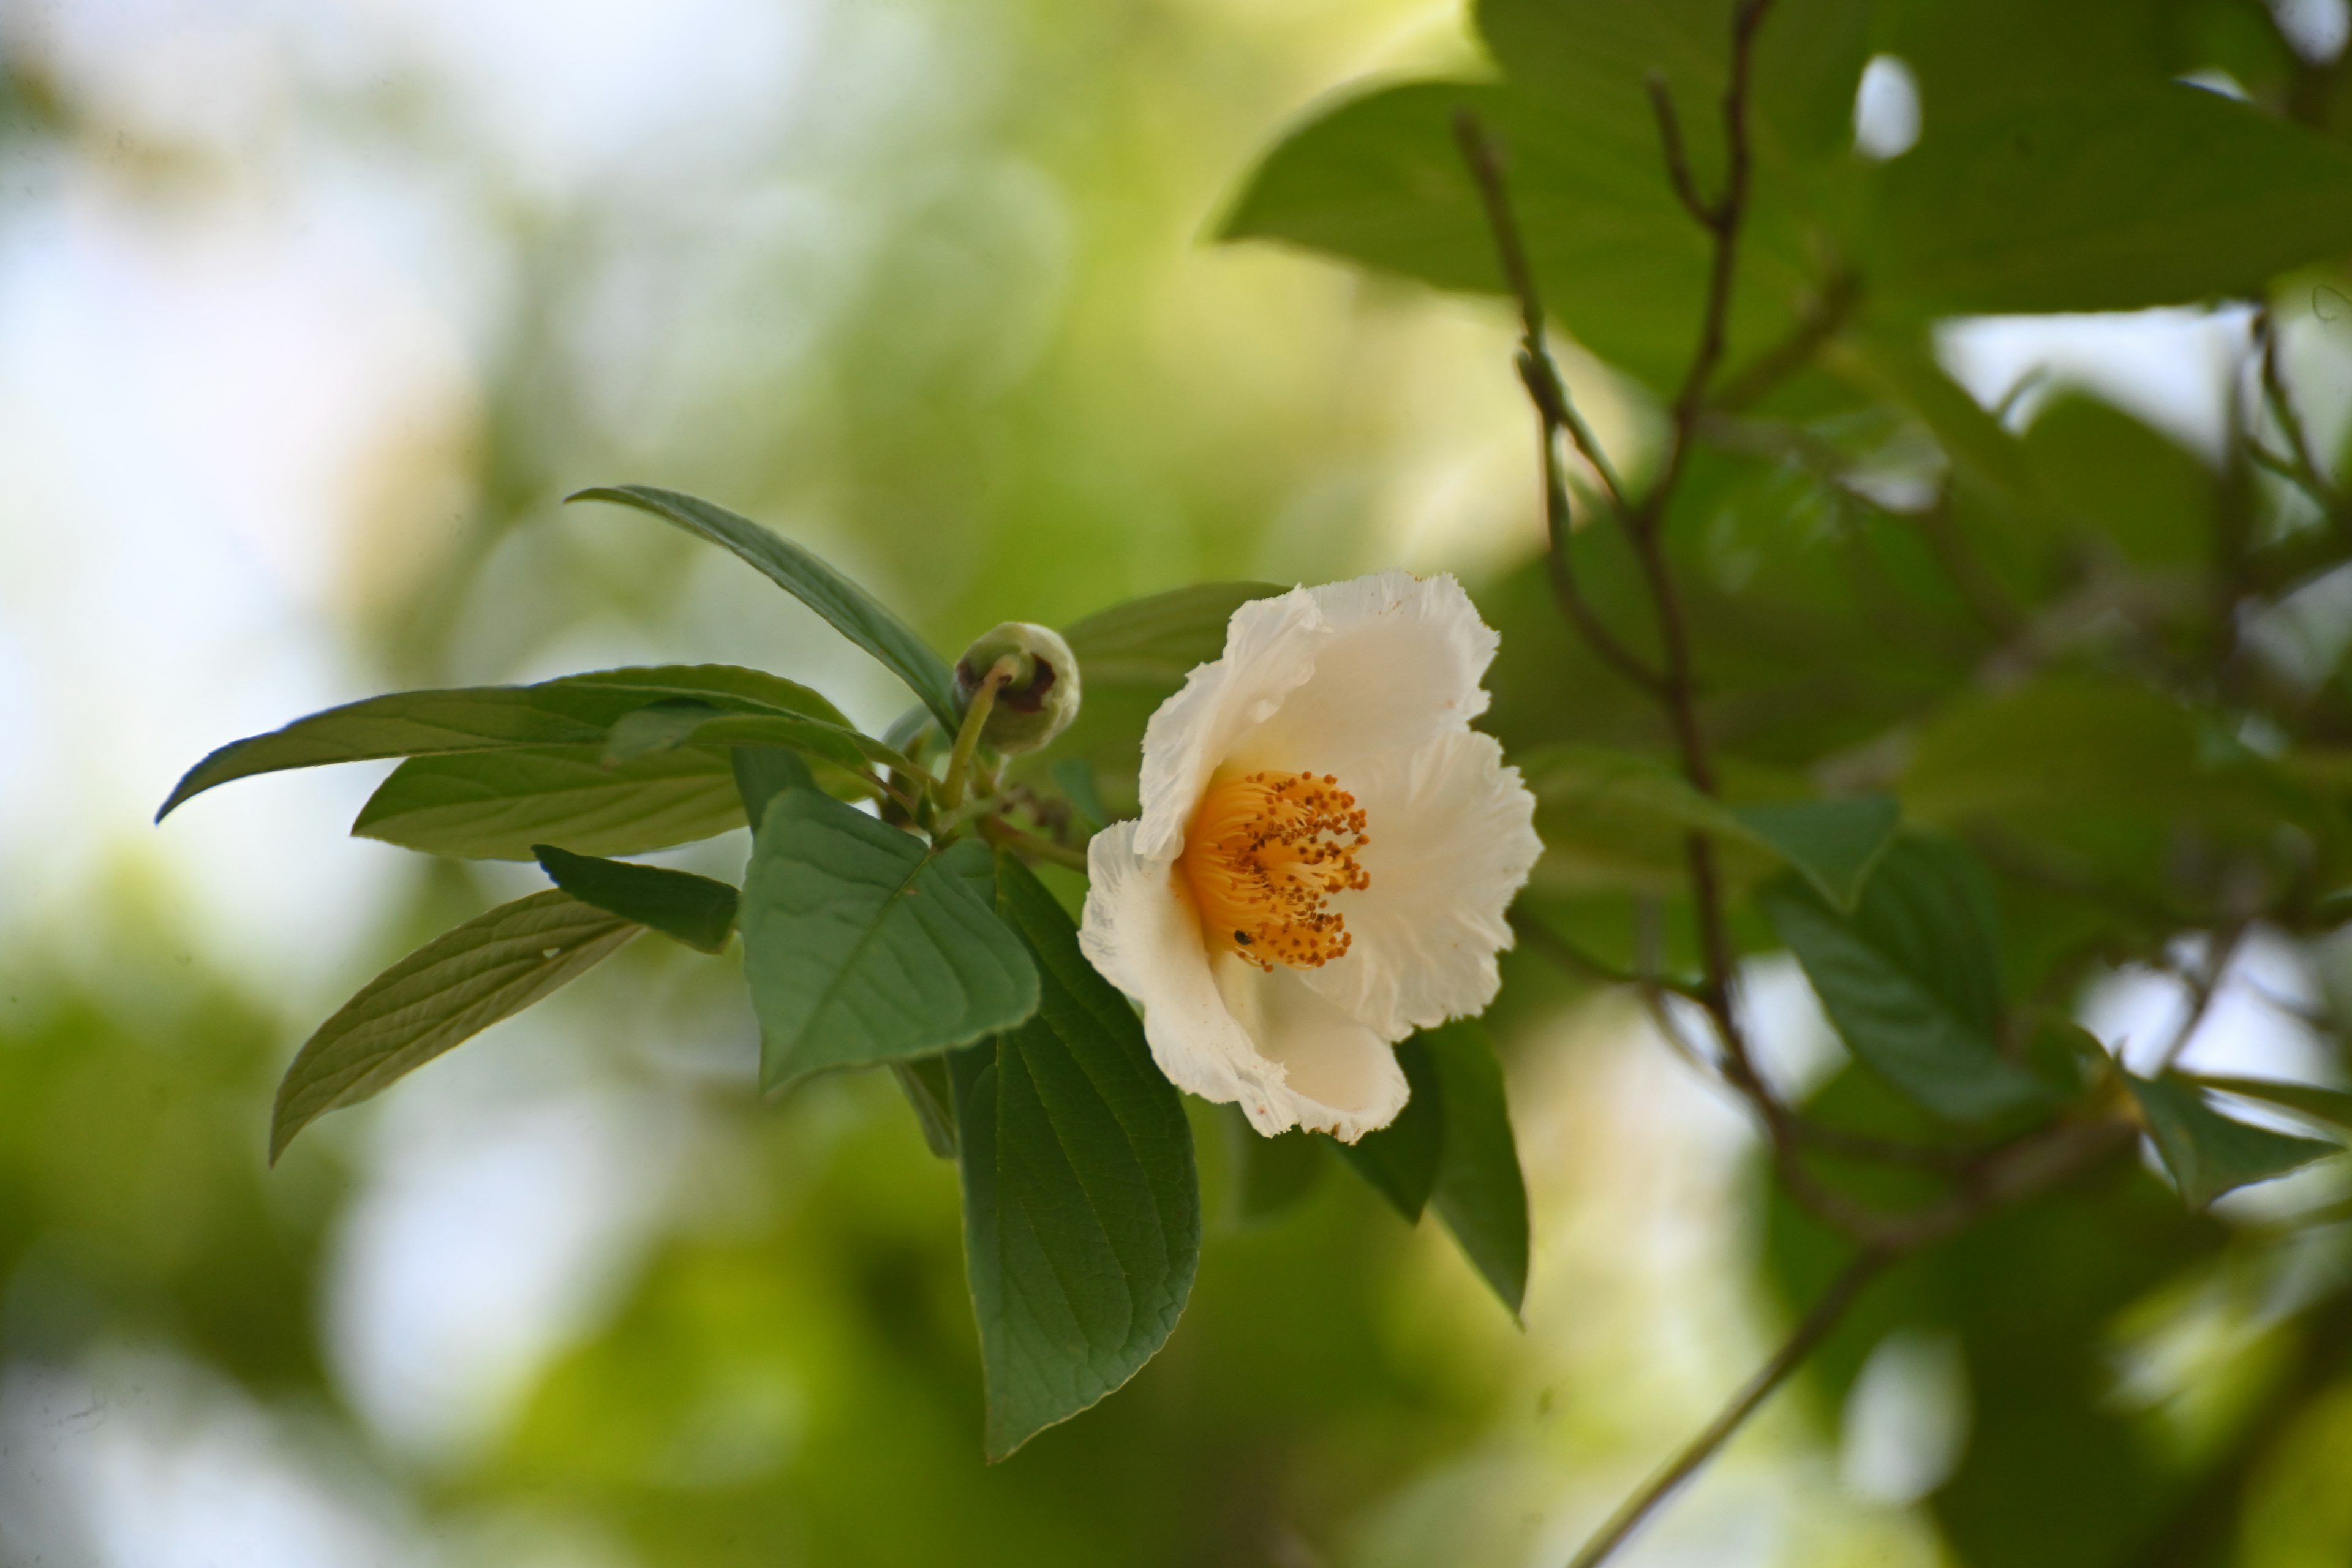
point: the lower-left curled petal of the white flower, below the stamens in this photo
(1229, 1031)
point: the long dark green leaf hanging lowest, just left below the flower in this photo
(1081, 1200)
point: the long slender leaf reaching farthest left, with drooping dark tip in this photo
(570, 711)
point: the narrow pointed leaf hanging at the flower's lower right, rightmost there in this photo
(1481, 1191)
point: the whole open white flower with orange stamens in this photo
(1323, 859)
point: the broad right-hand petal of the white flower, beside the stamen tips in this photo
(1452, 843)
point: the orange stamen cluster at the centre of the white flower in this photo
(1264, 857)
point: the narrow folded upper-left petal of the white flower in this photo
(1269, 652)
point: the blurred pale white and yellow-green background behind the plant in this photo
(309, 316)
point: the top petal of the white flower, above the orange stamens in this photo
(1401, 664)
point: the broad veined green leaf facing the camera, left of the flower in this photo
(864, 949)
